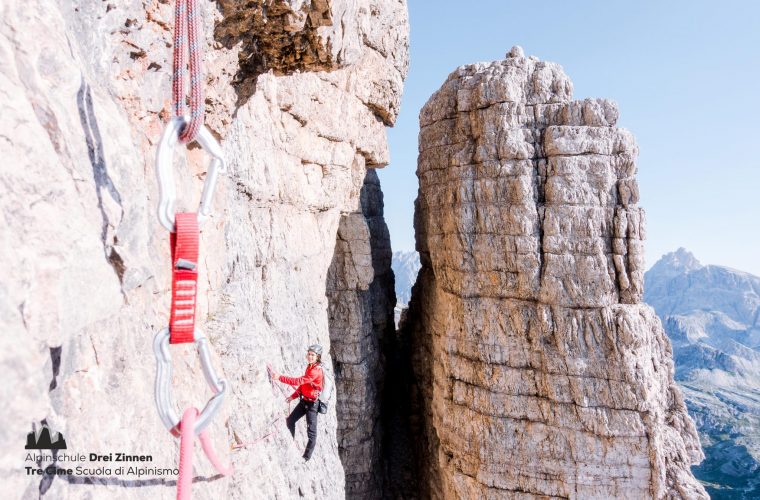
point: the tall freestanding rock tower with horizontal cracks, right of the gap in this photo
(539, 370)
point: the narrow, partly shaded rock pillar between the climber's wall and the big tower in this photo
(360, 289)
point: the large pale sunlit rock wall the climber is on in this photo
(86, 276)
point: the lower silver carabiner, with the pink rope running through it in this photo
(163, 389)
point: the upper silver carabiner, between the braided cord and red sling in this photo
(164, 170)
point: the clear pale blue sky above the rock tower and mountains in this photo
(685, 75)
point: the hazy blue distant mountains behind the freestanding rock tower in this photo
(712, 316)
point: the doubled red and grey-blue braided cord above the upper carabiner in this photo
(187, 29)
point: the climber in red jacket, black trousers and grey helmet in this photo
(308, 388)
